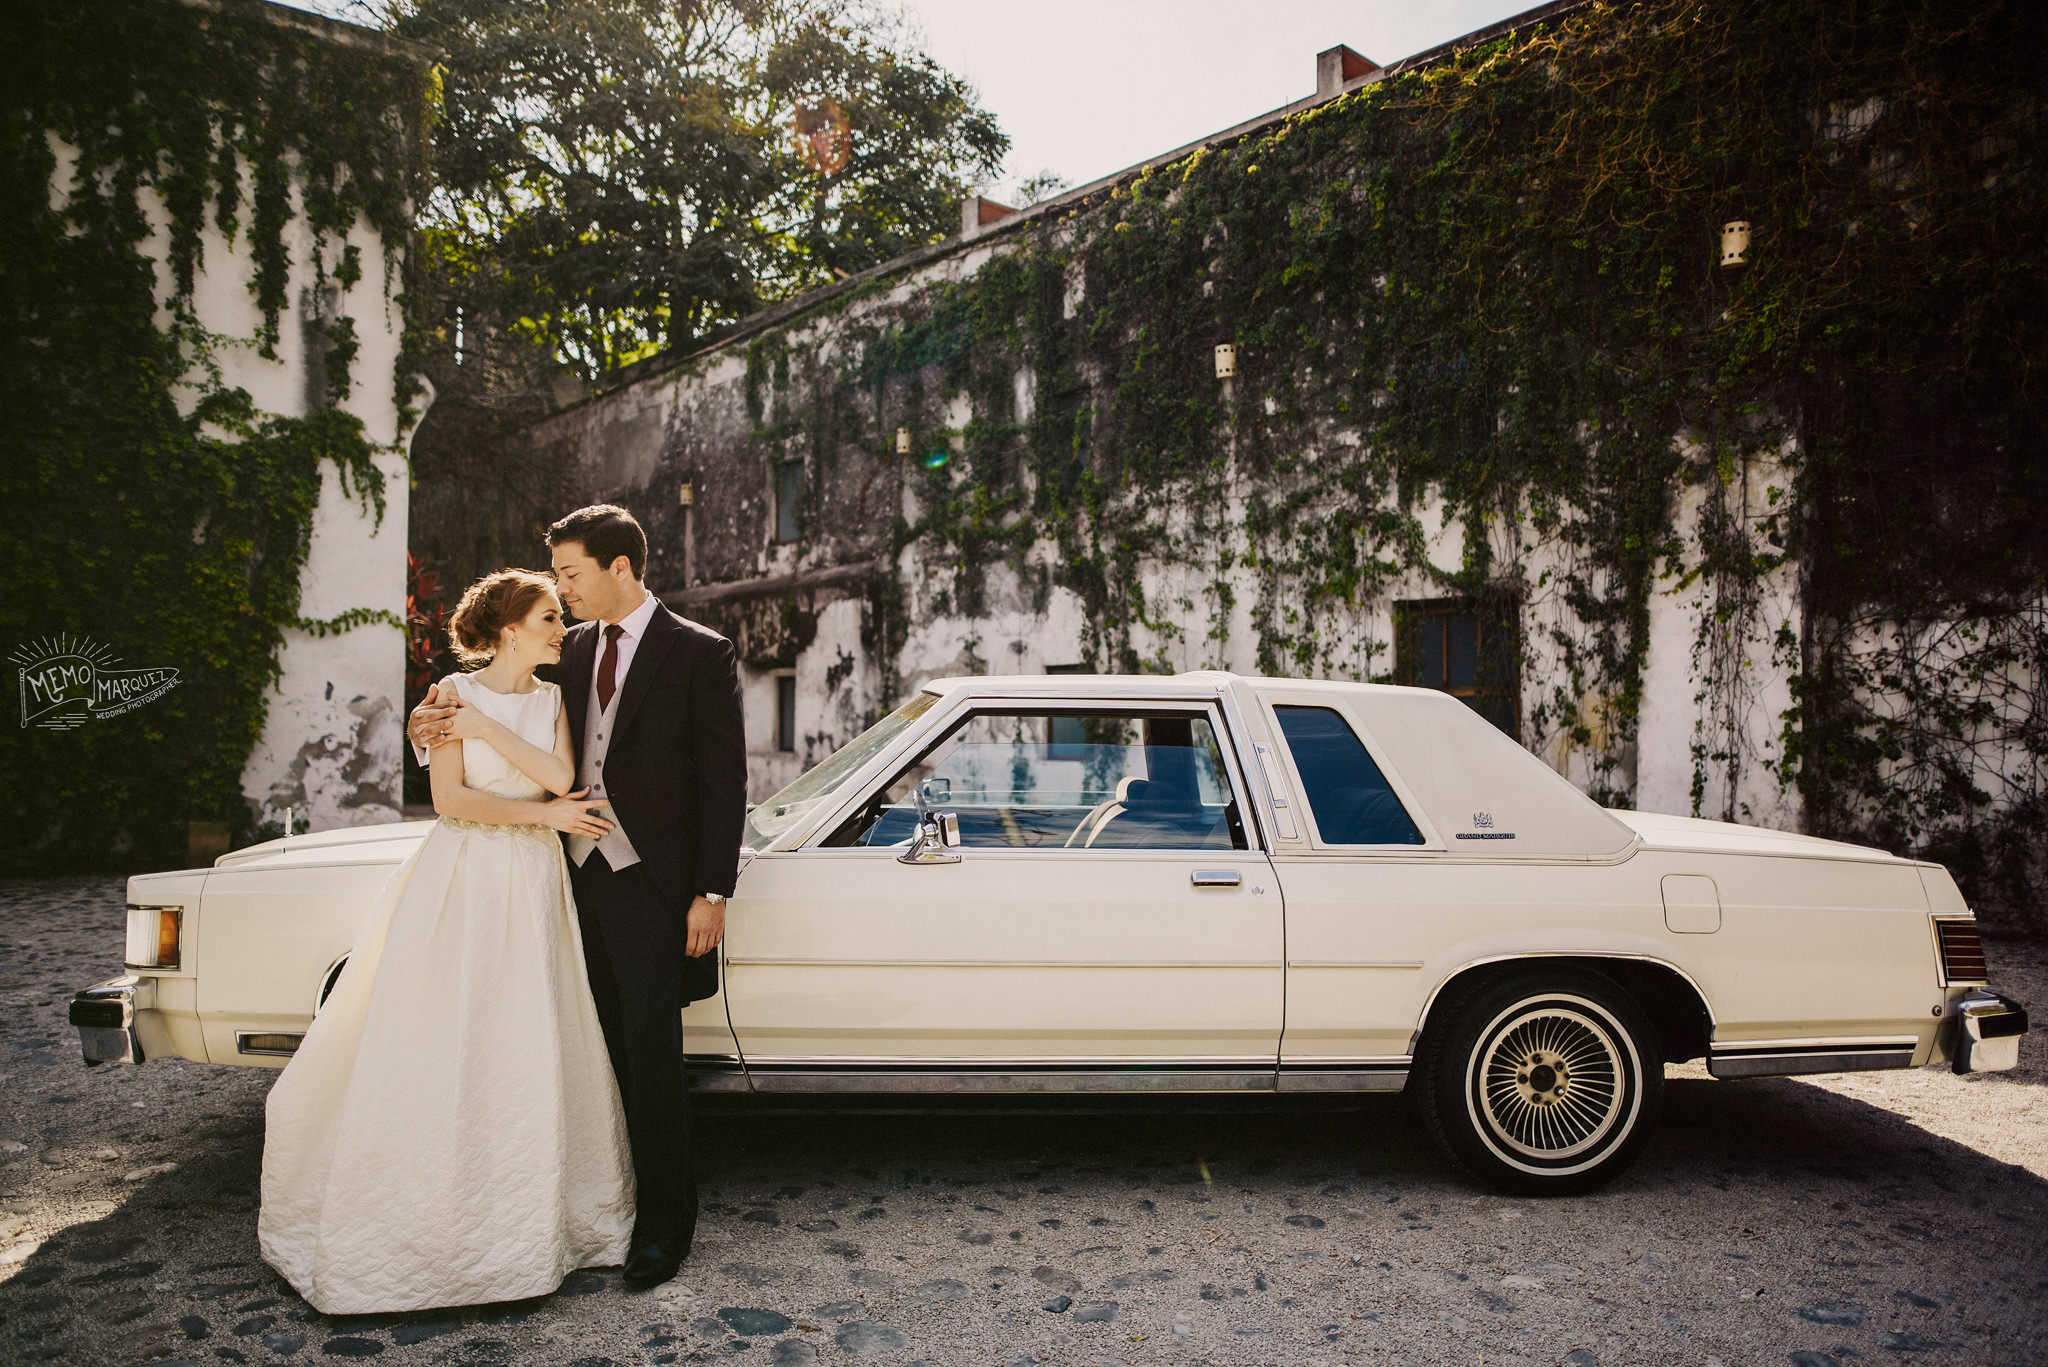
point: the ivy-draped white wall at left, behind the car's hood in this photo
(204, 218)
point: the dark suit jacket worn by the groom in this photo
(677, 770)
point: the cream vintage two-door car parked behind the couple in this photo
(1109, 884)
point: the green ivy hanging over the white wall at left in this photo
(155, 509)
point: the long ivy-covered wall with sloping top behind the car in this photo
(1775, 534)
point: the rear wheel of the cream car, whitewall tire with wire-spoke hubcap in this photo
(1541, 1085)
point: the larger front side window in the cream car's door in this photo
(1064, 780)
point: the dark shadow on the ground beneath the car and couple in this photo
(1891, 1218)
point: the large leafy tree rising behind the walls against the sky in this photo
(617, 177)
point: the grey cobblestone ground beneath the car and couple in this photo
(1883, 1218)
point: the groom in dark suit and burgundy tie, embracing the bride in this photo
(654, 708)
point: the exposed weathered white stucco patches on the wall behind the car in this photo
(818, 606)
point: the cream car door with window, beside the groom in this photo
(1105, 921)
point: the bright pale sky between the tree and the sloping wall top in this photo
(1091, 87)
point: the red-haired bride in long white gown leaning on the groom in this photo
(450, 1132)
